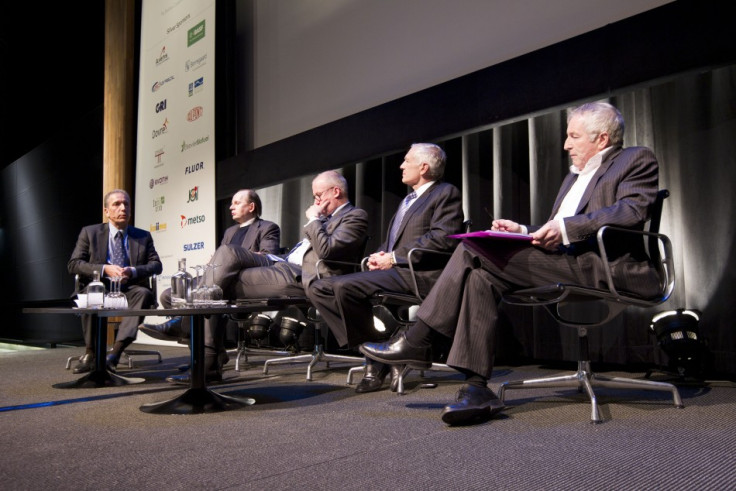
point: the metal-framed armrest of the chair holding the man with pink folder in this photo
(662, 259)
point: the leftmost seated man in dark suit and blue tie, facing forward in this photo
(136, 261)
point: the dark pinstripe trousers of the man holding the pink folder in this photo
(463, 304)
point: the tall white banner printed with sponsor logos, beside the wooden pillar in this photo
(175, 170)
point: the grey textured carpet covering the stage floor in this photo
(322, 435)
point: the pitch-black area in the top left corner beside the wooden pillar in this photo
(51, 70)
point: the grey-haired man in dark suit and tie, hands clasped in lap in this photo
(431, 212)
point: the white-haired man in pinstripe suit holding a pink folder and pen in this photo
(607, 185)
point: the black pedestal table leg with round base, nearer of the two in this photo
(198, 398)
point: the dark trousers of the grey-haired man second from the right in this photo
(344, 303)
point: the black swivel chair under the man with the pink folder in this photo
(564, 301)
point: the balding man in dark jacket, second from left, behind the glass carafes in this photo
(251, 239)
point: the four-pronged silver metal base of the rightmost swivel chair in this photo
(585, 379)
